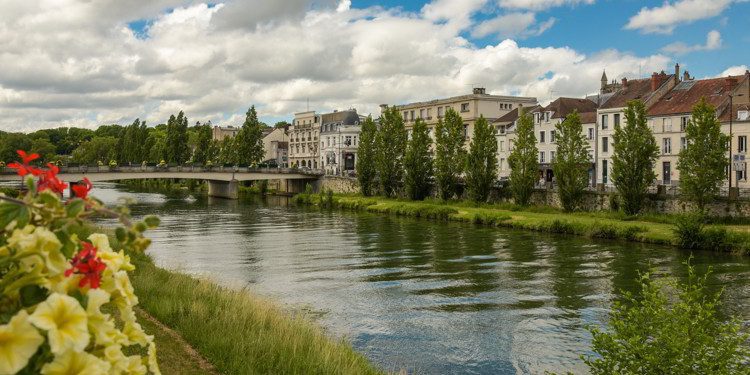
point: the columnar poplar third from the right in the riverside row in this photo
(571, 164)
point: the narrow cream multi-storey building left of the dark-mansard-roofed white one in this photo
(303, 140)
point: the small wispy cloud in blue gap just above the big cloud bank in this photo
(512, 25)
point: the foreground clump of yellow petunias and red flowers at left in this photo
(60, 281)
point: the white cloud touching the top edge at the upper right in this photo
(665, 18)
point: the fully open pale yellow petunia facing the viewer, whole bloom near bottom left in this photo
(65, 322)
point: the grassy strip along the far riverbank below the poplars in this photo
(654, 229)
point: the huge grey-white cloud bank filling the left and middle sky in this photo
(79, 64)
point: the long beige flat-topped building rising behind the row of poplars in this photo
(470, 107)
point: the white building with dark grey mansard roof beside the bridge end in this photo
(339, 133)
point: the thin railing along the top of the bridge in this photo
(84, 169)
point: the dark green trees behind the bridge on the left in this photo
(172, 143)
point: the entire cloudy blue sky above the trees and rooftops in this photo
(87, 63)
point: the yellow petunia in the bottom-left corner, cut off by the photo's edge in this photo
(19, 340)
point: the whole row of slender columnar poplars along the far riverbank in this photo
(392, 163)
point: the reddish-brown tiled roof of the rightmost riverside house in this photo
(686, 94)
